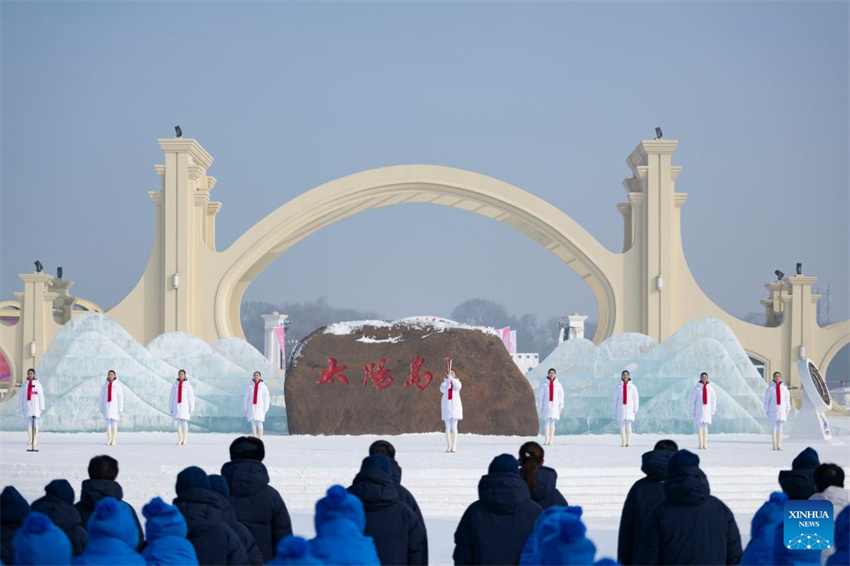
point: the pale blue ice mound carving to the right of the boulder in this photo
(665, 375)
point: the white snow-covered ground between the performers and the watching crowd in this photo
(593, 470)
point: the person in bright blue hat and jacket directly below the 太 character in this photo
(340, 521)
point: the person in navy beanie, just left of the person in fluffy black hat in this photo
(214, 541)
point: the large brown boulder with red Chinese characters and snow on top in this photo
(497, 399)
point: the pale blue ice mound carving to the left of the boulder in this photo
(74, 368)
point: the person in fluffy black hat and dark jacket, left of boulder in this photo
(258, 505)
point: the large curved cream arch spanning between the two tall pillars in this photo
(465, 190)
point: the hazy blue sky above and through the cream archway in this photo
(548, 96)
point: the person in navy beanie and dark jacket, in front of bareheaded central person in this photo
(395, 527)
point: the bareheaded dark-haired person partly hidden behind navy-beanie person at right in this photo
(645, 494)
